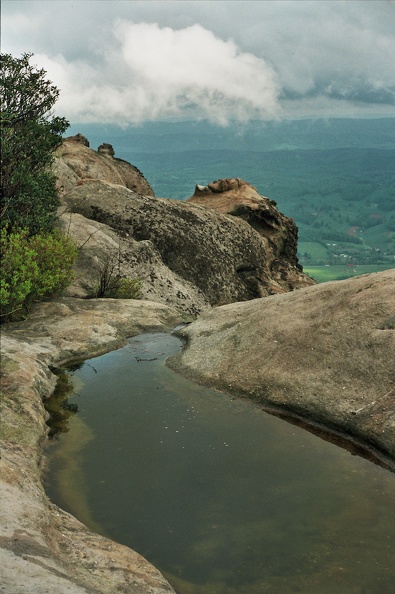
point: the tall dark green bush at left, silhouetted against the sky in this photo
(29, 136)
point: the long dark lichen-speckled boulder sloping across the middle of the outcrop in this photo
(222, 256)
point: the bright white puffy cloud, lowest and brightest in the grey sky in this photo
(150, 72)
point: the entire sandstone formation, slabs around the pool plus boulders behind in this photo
(323, 354)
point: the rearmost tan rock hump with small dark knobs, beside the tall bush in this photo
(75, 163)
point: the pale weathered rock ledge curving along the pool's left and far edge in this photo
(42, 548)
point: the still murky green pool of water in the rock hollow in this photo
(220, 496)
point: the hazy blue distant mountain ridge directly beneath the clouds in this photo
(263, 136)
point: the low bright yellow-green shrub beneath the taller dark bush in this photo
(32, 269)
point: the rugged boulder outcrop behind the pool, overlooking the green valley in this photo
(227, 243)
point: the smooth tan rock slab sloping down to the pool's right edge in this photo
(324, 354)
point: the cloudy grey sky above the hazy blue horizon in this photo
(221, 60)
